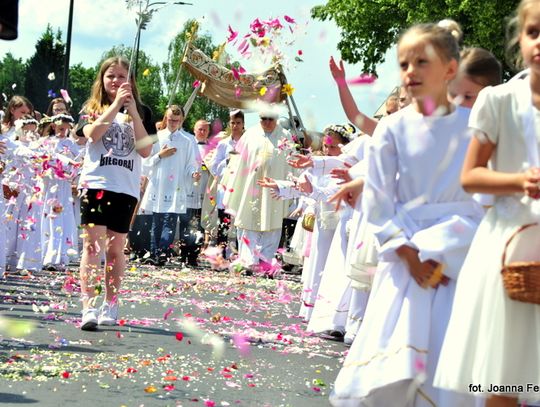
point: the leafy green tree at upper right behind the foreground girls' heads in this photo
(370, 27)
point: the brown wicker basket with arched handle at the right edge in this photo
(521, 279)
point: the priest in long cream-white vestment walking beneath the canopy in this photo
(263, 151)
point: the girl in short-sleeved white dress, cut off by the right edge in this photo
(493, 340)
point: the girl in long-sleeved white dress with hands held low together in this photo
(423, 222)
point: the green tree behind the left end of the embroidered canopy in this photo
(202, 107)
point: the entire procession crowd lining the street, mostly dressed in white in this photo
(402, 221)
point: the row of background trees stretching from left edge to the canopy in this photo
(31, 78)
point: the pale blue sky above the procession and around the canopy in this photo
(100, 24)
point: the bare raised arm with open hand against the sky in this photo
(365, 123)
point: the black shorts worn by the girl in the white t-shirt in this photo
(106, 208)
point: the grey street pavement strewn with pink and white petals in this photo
(186, 337)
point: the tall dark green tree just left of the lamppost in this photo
(44, 69)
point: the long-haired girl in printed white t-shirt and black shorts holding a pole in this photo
(110, 183)
